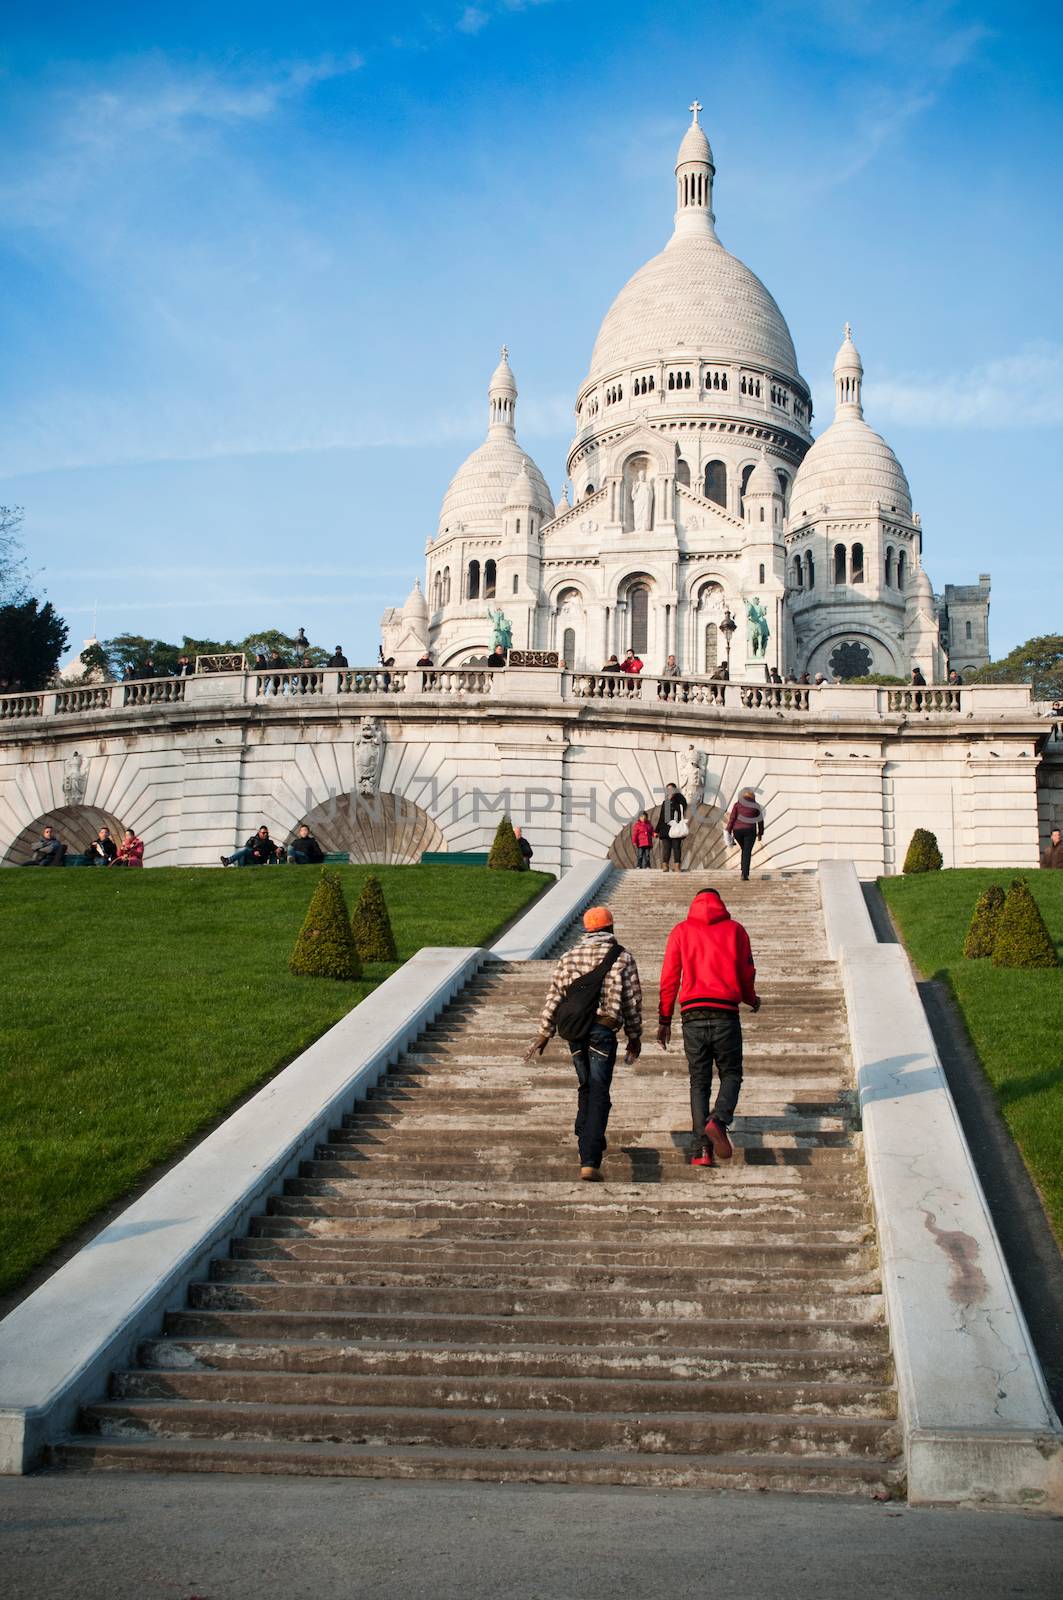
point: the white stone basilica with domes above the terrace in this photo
(704, 519)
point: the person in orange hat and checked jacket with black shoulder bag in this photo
(593, 993)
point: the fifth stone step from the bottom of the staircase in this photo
(326, 1329)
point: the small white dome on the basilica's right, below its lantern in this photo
(848, 470)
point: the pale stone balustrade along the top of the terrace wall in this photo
(279, 687)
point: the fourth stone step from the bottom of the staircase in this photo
(527, 1361)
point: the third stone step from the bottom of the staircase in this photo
(564, 1394)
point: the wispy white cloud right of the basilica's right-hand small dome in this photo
(1013, 391)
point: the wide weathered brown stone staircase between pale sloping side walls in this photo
(438, 1295)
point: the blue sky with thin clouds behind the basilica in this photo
(259, 262)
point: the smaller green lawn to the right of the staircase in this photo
(1014, 1017)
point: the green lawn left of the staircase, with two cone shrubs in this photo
(140, 1006)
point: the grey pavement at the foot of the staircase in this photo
(254, 1538)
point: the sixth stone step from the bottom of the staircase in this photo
(614, 1303)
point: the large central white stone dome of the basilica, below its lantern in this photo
(694, 297)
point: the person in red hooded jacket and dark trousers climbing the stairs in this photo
(708, 964)
